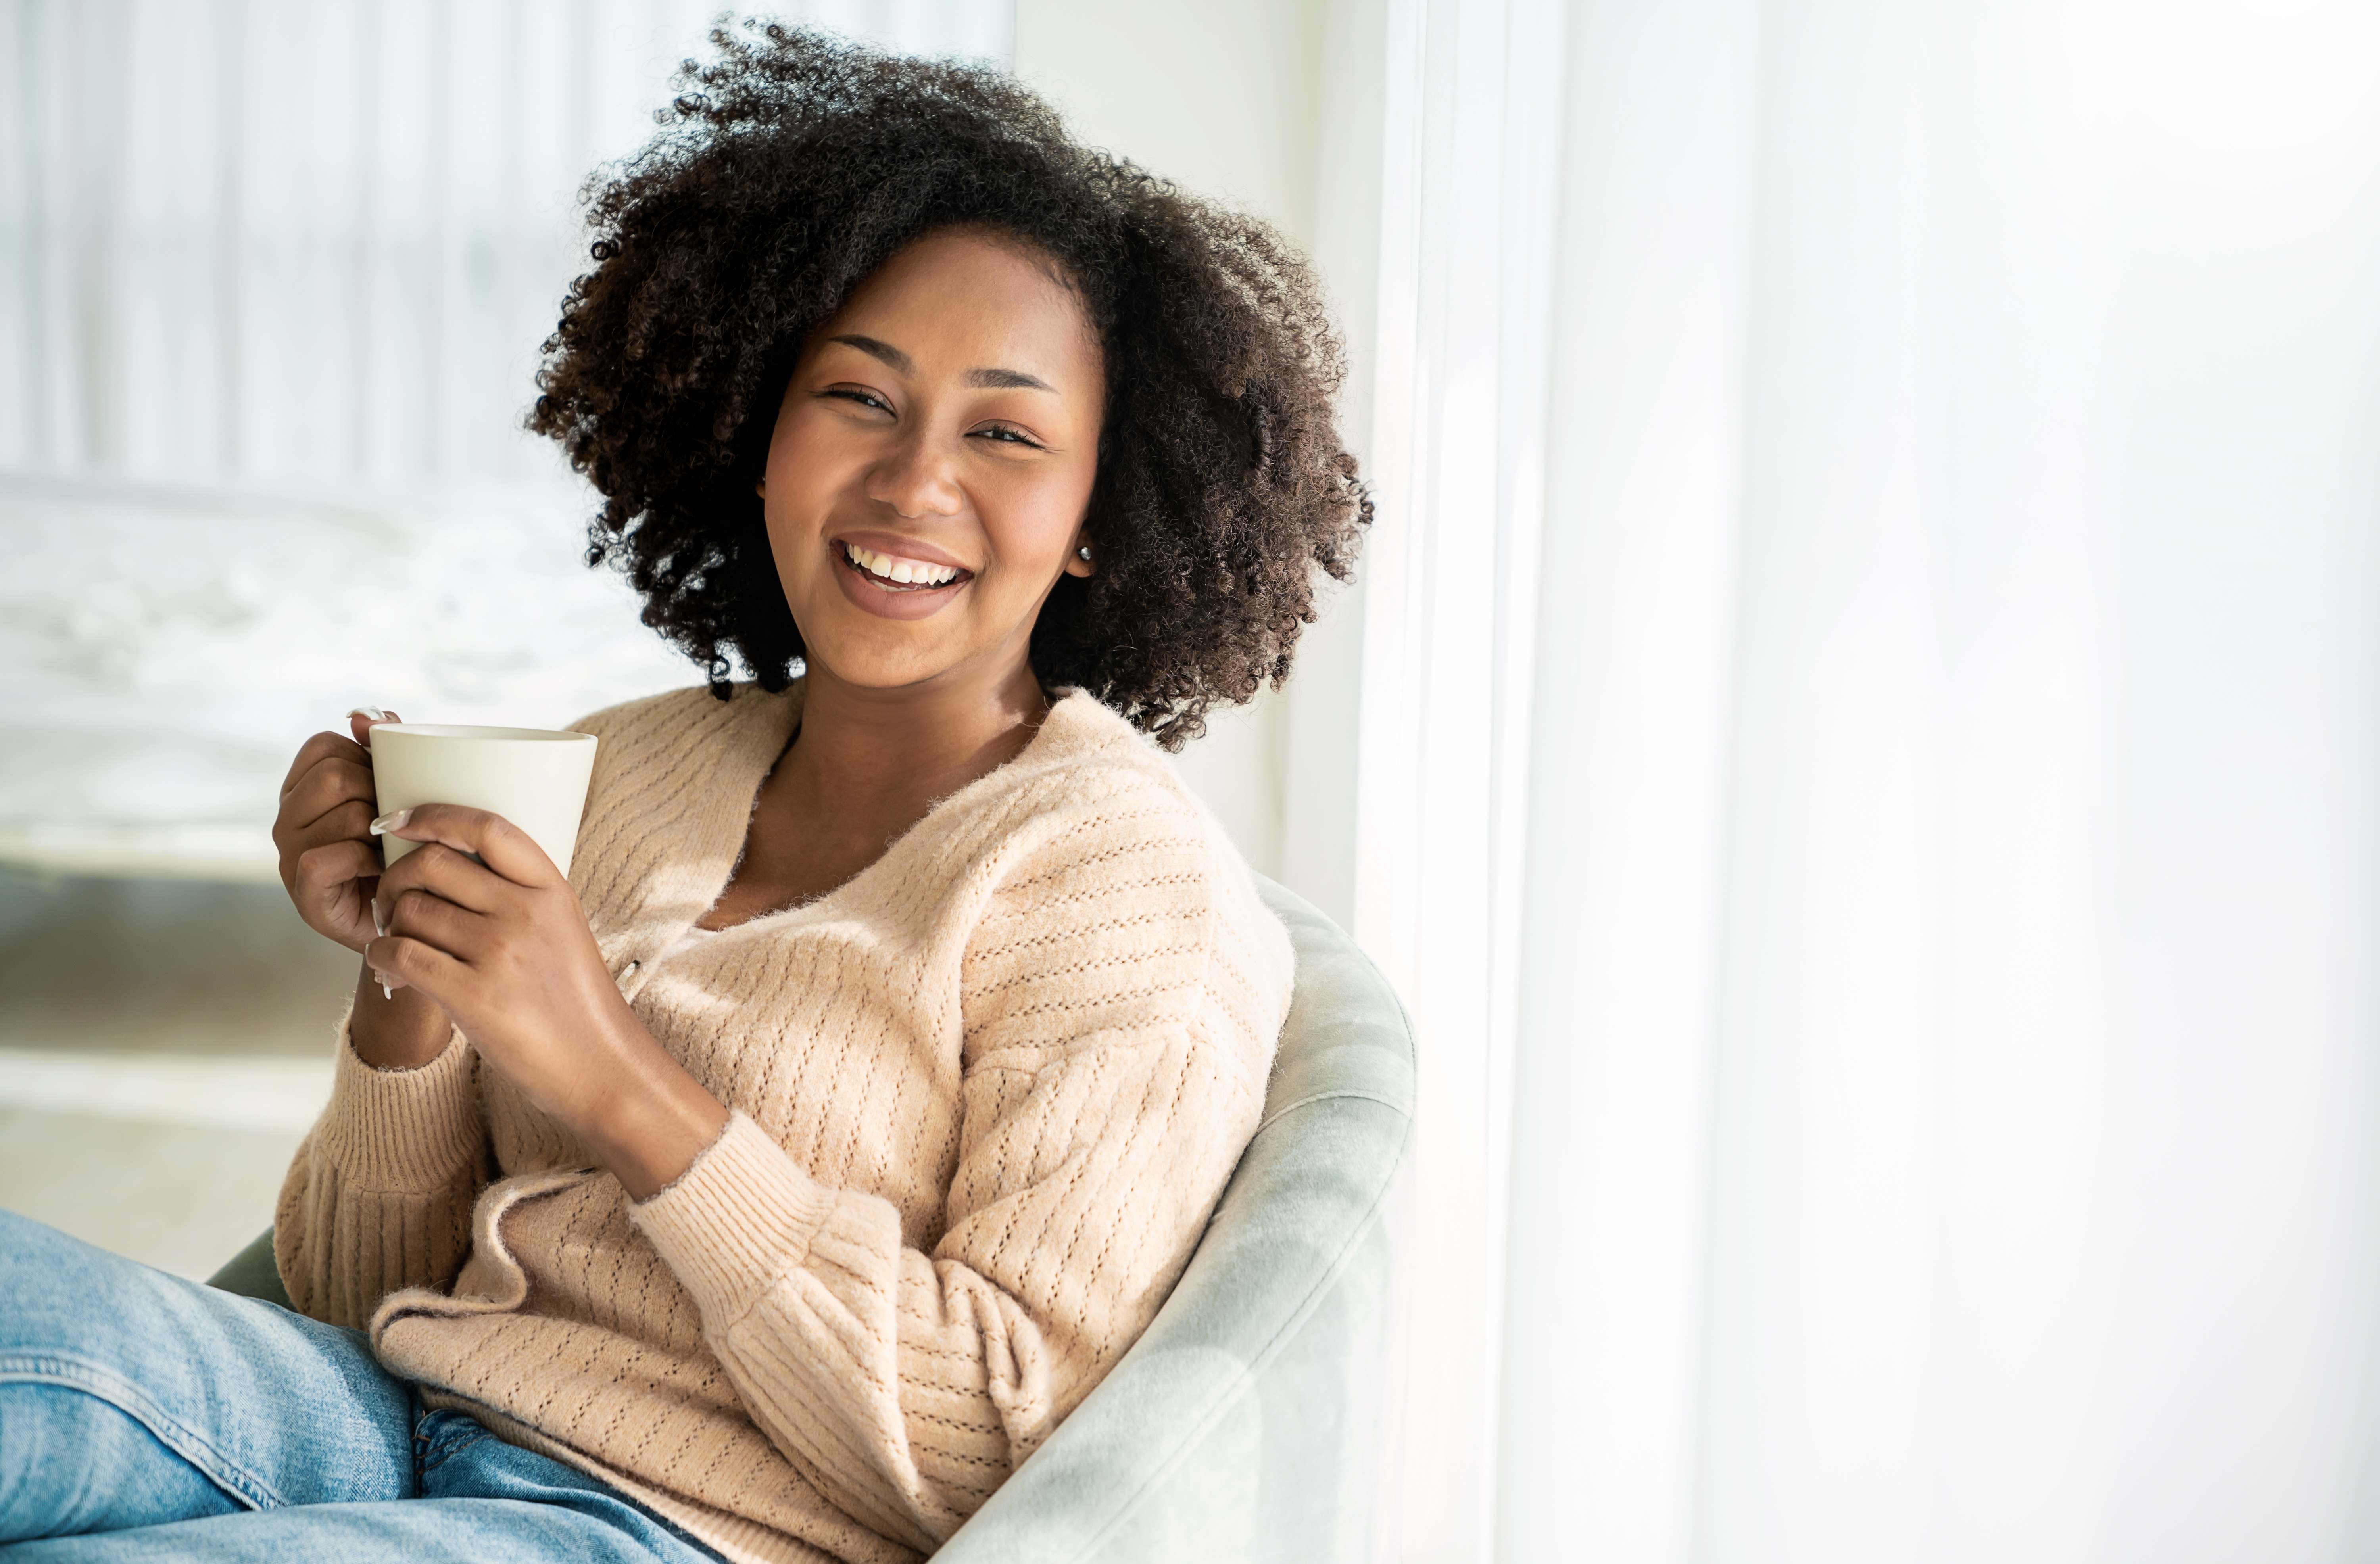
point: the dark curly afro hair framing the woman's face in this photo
(787, 173)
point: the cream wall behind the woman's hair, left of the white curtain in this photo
(1229, 99)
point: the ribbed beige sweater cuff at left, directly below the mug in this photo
(401, 1130)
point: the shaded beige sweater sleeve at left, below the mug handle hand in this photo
(382, 1189)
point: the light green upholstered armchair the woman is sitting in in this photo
(1246, 1422)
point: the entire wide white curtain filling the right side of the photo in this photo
(1903, 1068)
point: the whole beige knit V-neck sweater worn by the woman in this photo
(984, 1101)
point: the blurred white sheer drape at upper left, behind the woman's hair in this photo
(320, 242)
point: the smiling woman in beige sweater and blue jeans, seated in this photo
(779, 1182)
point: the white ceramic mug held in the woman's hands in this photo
(532, 777)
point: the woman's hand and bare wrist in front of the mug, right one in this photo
(503, 946)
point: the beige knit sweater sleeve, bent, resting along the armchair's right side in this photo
(1120, 1022)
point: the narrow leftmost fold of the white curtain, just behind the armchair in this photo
(1458, 463)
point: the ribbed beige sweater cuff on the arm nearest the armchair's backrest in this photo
(737, 1220)
